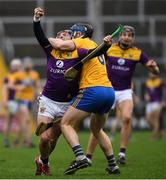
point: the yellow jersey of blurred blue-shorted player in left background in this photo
(28, 80)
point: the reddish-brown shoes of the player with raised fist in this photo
(42, 168)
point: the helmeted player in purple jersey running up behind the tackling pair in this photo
(121, 61)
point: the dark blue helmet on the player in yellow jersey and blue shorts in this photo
(86, 30)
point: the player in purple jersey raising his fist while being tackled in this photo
(56, 93)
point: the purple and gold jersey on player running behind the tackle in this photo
(121, 65)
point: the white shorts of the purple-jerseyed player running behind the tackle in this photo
(122, 95)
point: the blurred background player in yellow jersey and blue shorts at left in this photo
(30, 82)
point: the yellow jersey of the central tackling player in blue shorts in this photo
(94, 71)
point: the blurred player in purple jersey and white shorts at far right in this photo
(154, 102)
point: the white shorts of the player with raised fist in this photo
(52, 109)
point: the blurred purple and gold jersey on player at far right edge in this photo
(154, 89)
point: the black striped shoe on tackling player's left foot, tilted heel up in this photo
(75, 165)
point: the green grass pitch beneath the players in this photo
(146, 159)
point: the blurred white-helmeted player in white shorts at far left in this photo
(9, 101)
